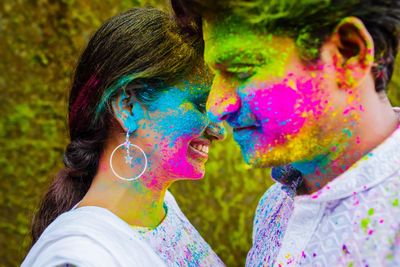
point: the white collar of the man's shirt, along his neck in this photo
(370, 170)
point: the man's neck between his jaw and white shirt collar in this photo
(374, 126)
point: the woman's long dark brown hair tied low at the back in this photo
(142, 50)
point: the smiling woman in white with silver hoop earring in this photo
(137, 124)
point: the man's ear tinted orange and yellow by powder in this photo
(354, 52)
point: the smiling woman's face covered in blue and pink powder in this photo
(176, 134)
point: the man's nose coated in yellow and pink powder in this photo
(222, 101)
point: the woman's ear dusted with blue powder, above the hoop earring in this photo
(124, 111)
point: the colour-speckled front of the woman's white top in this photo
(177, 242)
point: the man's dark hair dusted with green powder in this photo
(309, 23)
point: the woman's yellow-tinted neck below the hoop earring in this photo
(135, 202)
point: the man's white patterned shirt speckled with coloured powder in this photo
(352, 221)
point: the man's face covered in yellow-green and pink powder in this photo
(281, 109)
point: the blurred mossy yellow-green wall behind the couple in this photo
(40, 41)
